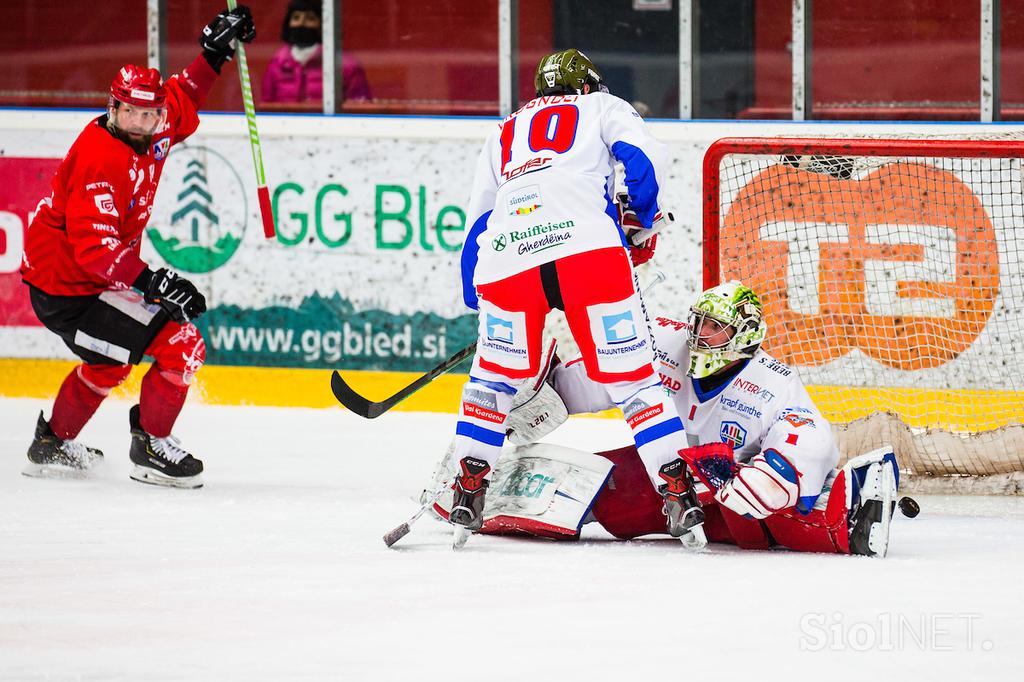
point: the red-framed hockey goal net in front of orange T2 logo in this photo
(892, 276)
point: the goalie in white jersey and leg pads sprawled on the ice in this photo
(761, 470)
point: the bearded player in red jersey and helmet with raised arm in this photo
(90, 286)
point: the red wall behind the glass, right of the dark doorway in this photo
(885, 52)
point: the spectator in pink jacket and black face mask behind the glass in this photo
(295, 73)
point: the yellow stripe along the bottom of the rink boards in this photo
(957, 411)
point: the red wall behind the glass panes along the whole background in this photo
(430, 55)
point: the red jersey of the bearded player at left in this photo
(87, 236)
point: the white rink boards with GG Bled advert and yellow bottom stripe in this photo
(364, 276)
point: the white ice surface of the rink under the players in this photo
(276, 571)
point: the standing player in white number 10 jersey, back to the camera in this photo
(546, 235)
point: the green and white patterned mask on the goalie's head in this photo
(727, 324)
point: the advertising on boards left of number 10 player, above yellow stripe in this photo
(364, 273)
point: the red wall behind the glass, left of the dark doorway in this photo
(445, 51)
